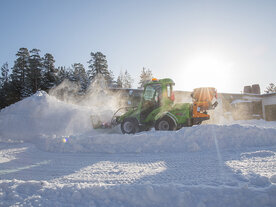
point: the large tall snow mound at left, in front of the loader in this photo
(40, 115)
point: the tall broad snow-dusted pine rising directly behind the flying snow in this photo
(98, 65)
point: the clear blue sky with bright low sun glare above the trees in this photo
(225, 44)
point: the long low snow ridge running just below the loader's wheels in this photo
(196, 138)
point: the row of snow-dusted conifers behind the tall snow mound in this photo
(32, 72)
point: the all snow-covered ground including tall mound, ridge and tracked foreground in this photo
(50, 156)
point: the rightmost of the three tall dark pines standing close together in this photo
(49, 72)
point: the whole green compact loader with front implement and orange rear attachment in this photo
(157, 109)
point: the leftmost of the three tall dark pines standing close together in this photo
(19, 73)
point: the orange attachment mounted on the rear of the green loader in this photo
(203, 99)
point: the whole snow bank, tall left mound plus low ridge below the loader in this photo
(57, 126)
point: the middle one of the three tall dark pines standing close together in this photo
(34, 74)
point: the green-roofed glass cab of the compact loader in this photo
(158, 93)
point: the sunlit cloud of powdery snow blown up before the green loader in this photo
(102, 101)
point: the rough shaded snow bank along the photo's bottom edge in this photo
(35, 193)
